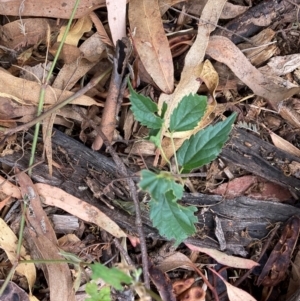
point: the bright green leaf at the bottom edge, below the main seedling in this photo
(112, 276)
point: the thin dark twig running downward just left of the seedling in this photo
(132, 188)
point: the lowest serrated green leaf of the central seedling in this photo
(171, 219)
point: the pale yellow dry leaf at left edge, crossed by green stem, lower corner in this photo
(8, 243)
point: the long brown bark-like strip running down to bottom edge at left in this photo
(43, 243)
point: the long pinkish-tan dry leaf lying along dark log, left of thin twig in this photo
(54, 196)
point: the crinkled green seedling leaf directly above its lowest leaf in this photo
(158, 184)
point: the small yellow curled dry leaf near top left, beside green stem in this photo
(81, 26)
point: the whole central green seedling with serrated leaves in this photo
(170, 218)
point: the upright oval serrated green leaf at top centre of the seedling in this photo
(188, 113)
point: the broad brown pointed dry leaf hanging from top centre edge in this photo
(151, 43)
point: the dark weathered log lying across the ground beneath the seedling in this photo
(237, 216)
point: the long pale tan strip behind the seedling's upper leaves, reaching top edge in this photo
(192, 75)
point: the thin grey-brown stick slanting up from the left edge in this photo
(56, 107)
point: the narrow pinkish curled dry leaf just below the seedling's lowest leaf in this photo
(232, 261)
